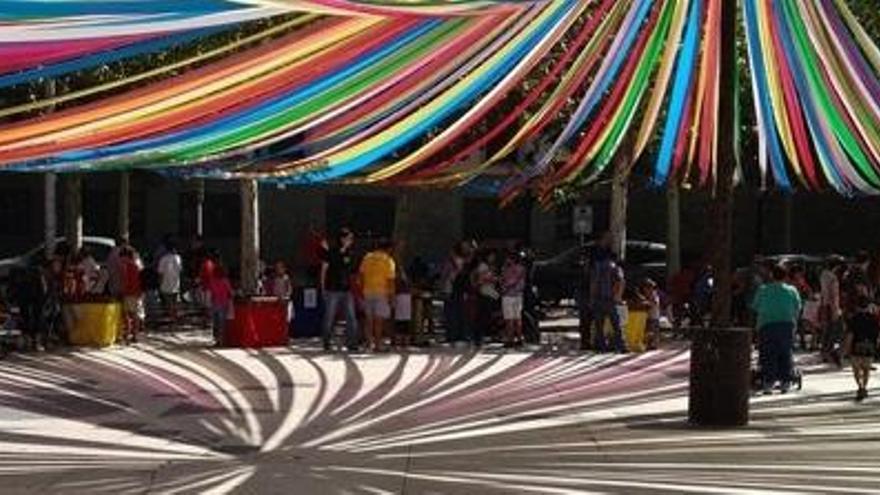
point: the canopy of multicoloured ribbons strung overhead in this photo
(440, 92)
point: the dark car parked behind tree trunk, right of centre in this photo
(563, 276)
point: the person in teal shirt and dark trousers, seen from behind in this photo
(778, 307)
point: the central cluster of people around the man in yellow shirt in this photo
(395, 302)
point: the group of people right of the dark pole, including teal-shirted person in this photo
(833, 309)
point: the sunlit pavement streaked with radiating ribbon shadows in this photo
(173, 416)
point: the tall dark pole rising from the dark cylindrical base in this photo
(722, 206)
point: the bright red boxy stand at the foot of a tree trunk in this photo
(258, 322)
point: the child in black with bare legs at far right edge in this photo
(863, 330)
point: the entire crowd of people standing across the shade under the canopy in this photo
(833, 309)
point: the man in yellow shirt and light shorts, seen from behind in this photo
(378, 272)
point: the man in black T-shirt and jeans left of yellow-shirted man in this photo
(335, 283)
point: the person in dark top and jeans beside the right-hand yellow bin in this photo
(607, 284)
